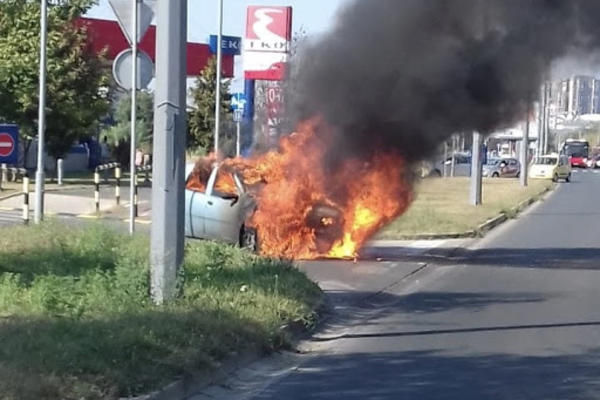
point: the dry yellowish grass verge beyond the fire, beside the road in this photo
(442, 206)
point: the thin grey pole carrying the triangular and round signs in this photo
(134, 69)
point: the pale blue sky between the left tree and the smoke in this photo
(313, 16)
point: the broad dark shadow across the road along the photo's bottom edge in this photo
(440, 375)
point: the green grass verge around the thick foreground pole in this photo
(76, 321)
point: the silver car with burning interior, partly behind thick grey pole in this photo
(216, 213)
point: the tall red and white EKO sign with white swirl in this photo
(268, 37)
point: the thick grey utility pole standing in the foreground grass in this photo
(168, 196)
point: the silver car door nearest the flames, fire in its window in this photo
(223, 209)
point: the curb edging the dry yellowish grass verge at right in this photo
(484, 228)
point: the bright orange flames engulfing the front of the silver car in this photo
(307, 210)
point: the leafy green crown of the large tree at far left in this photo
(76, 75)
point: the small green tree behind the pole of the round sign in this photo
(119, 135)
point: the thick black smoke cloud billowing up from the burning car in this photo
(407, 74)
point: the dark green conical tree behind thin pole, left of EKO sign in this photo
(201, 120)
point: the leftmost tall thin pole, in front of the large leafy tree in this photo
(39, 175)
